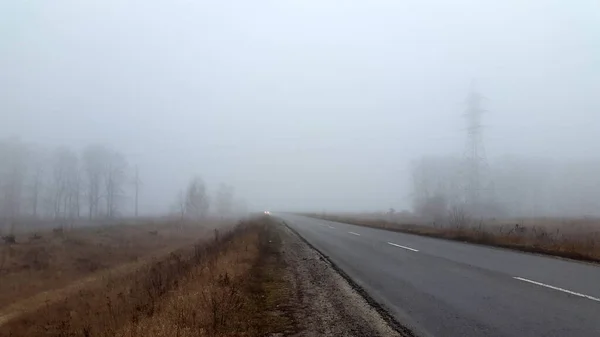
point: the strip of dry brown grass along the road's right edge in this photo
(570, 238)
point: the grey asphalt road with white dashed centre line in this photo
(451, 289)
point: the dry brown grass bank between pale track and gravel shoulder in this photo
(229, 286)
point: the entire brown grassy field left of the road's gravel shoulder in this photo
(226, 283)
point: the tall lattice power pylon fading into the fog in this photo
(475, 158)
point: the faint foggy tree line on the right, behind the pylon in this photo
(516, 187)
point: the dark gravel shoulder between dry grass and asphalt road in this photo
(325, 303)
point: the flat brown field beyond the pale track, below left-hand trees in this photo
(43, 261)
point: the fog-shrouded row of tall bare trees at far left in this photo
(61, 184)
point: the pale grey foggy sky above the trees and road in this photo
(301, 105)
